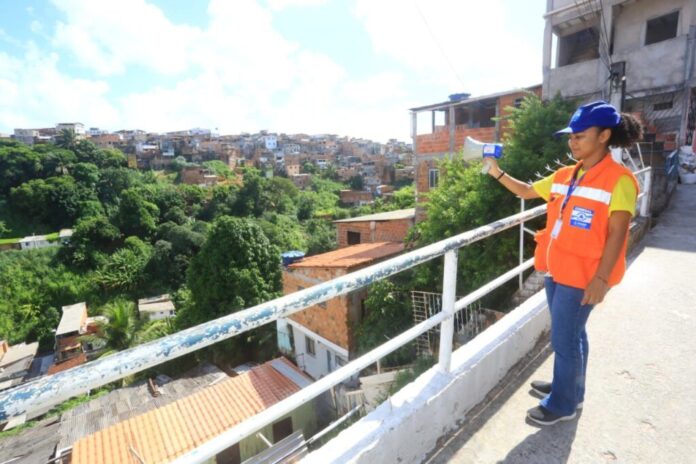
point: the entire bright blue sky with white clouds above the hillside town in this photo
(348, 67)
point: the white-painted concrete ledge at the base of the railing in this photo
(407, 426)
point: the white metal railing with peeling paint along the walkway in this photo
(51, 390)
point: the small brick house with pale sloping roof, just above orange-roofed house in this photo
(391, 226)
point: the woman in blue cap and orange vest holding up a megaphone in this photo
(583, 247)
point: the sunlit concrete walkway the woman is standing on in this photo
(640, 404)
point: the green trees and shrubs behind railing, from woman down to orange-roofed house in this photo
(464, 200)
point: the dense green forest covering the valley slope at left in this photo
(138, 234)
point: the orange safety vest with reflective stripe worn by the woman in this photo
(572, 256)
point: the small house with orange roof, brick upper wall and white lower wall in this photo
(322, 335)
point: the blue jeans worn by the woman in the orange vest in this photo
(570, 347)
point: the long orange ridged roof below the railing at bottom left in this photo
(161, 435)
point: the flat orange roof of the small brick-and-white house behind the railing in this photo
(355, 255)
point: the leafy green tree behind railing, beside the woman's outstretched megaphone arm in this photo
(465, 199)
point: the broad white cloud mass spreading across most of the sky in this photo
(238, 73)
